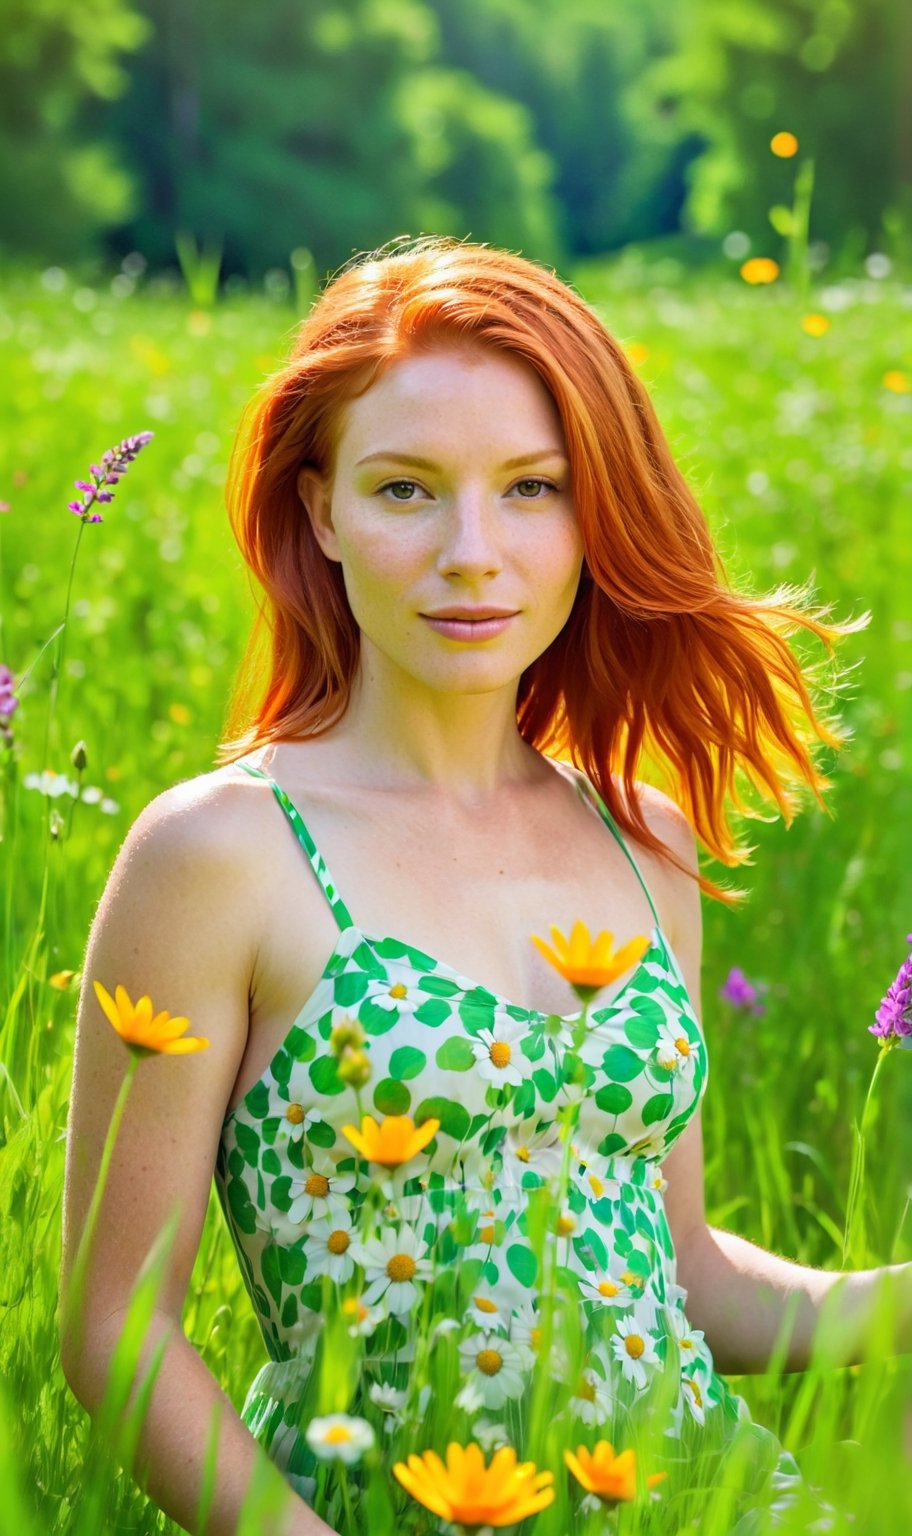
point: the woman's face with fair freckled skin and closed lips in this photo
(452, 491)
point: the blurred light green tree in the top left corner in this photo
(61, 184)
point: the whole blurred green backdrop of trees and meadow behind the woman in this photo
(730, 184)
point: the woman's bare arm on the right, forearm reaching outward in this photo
(742, 1297)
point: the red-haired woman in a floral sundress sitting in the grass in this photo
(478, 561)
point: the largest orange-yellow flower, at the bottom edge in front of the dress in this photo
(469, 1494)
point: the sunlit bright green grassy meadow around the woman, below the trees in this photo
(798, 440)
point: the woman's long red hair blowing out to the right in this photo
(661, 666)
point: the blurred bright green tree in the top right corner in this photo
(836, 74)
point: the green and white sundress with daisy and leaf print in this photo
(444, 1047)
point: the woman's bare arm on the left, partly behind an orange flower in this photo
(177, 922)
